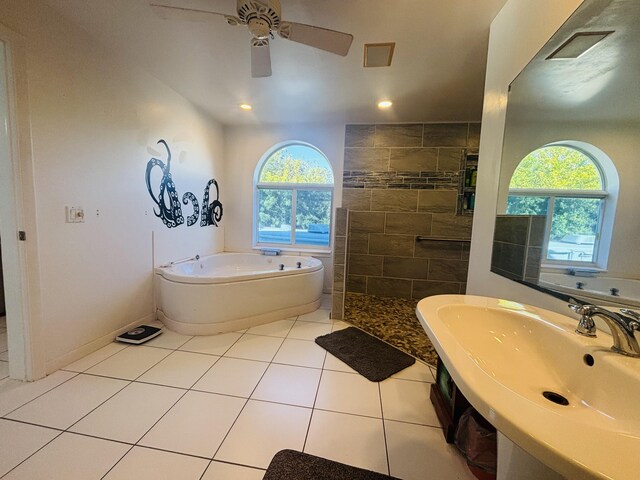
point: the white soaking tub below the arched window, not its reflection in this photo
(231, 291)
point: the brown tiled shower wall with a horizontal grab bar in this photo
(400, 183)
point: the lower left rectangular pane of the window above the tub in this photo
(274, 216)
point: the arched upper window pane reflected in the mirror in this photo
(555, 168)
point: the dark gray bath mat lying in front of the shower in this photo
(370, 357)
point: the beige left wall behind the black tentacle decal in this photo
(95, 121)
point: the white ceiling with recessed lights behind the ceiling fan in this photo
(437, 72)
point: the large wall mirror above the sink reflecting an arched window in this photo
(568, 217)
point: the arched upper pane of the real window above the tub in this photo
(297, 164)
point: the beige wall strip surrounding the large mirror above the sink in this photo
(521, 28)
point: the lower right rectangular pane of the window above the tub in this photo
(313, 217)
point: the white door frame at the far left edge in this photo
(20, 258)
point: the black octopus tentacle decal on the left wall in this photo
(169, 209)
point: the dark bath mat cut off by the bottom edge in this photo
(292, 465)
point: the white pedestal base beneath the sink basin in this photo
(514, 462)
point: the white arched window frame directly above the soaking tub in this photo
(294, 188)
